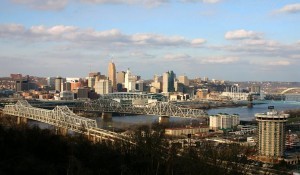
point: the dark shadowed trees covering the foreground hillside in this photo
(31, 150)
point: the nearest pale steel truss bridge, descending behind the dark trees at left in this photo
(63, 118)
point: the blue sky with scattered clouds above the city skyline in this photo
(235, 40)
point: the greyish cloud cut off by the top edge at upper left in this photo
(43, 4)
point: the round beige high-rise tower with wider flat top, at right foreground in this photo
(271, 133)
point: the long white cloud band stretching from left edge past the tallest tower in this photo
(91, 37)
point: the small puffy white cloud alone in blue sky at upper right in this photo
(241, 34)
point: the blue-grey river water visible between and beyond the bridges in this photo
(246, 114)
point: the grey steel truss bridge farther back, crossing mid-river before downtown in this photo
(156, 108)
